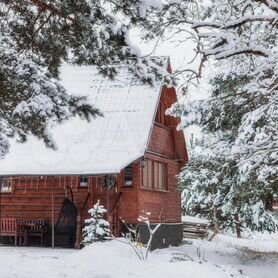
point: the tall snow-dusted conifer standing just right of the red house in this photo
(213, 184)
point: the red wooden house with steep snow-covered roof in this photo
(128, 159)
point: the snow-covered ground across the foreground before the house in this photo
(226, 256)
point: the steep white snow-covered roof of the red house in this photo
(104, 145)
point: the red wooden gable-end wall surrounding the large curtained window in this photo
(166, 145)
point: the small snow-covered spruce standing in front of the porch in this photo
(96, 228)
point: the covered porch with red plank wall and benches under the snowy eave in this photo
(50, 211)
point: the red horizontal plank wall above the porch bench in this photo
(31, 197)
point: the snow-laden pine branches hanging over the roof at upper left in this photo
(37, 36)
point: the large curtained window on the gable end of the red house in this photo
(154, 175)
